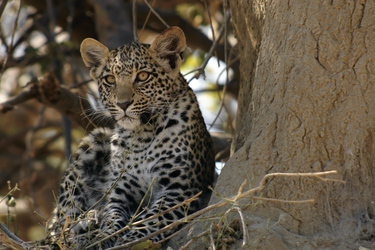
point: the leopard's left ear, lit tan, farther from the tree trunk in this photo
(94, 54)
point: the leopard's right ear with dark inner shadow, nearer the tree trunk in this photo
(168, 48)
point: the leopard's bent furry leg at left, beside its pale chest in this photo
(79, 202)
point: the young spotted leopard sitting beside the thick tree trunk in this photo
(155, 166)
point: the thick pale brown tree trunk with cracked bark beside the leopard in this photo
(312, 108)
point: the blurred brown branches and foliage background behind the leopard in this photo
(39, 37)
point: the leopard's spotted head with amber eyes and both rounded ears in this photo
(136, 80)
